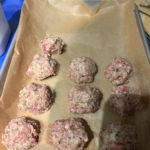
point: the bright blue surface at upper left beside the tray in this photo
(12, 9)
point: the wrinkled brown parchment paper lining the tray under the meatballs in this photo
(108, 31)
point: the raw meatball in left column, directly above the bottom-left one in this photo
(35, 98)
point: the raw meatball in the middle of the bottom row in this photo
(68, 134)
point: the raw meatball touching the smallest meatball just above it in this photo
(42, 67)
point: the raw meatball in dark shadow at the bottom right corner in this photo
(119, 136)
